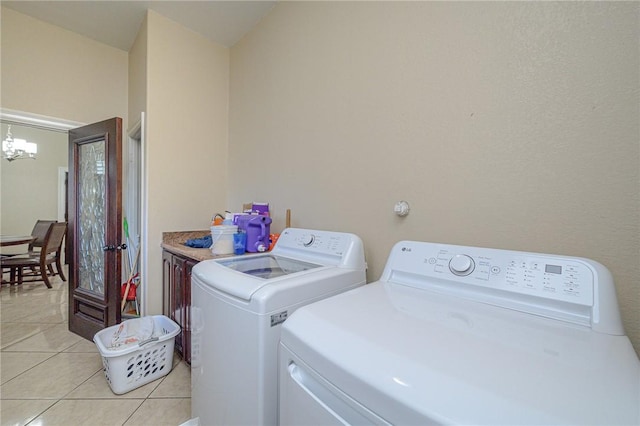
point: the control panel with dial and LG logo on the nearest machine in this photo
(554, 278)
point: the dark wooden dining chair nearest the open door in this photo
(39, 266)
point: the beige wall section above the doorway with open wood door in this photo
(54, 72)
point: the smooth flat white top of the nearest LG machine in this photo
(418, 357)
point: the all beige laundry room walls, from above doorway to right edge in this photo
(508, 125)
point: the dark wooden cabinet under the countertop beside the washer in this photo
(176, 280)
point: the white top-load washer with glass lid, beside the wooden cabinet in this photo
(238, 305)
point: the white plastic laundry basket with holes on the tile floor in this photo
(132, 366)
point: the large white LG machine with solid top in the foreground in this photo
(463, 335)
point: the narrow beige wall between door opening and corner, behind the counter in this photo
(187, 116)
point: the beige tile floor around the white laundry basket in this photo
(50, 376)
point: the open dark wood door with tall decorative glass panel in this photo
(95, 226)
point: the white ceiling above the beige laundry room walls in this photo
(116, 23)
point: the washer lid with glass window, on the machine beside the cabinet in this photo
(242, 276)
